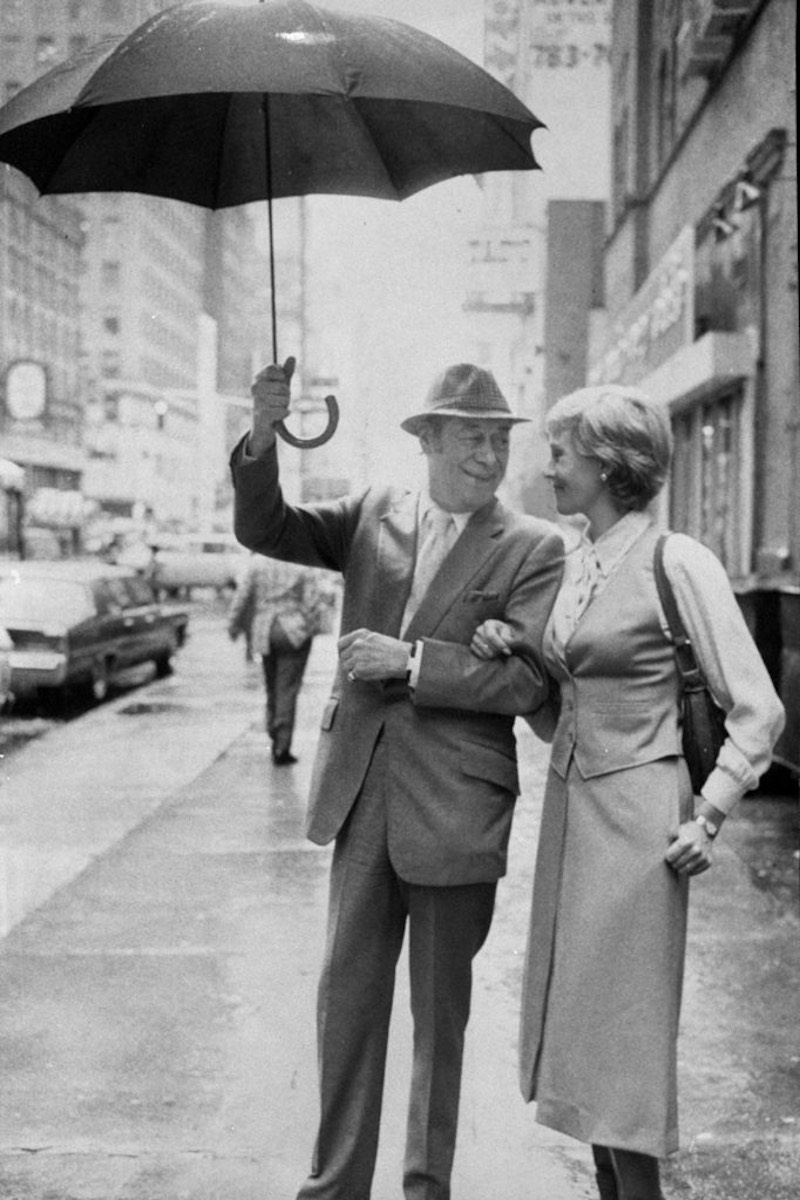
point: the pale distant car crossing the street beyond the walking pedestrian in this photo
(178, 563)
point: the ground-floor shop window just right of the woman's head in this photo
(706, 494)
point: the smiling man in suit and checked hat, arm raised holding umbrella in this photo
(416, 773)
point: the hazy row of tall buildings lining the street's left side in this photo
(123, 433)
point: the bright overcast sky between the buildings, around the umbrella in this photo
(387, 281)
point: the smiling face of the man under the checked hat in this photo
(467, 461)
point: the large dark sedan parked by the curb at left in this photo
(75, 625)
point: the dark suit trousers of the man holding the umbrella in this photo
(370, 907)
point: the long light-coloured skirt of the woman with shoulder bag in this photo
(605, 965)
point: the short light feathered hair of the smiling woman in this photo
(625, 431)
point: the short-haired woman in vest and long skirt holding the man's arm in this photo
(622, 830)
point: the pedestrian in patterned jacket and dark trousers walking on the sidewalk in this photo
(279, 607)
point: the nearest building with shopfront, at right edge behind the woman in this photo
(701, 286)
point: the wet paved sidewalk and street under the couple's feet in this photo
(164, 922)
